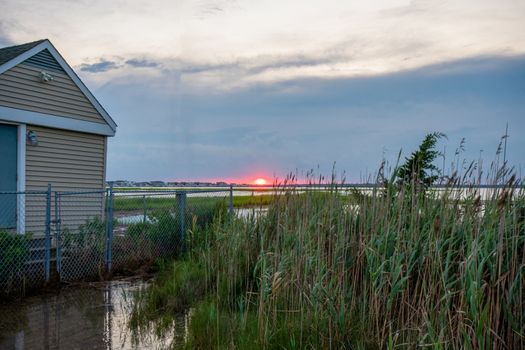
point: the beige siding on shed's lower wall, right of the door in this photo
(69, 161)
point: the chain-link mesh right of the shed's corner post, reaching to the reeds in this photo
(149, 225)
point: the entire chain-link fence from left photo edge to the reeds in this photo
(84, 235)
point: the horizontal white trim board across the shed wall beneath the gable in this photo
(53, 121)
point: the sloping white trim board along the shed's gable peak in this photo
(69, 71)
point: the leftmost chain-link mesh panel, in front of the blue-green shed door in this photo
(23, 240)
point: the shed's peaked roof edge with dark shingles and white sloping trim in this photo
(14, 55)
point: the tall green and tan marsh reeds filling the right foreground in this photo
(373, 270)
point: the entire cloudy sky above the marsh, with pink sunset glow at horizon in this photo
(226, 89)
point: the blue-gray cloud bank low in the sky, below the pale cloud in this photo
(353, 121)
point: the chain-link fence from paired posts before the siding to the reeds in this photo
(99, 232)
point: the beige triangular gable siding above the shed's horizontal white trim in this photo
(20, 87)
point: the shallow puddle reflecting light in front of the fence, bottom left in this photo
(81, 318)
